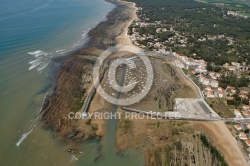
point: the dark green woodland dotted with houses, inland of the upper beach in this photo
(210, 33)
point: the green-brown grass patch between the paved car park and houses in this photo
(220, 107)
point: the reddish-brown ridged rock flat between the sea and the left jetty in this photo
(69, 92)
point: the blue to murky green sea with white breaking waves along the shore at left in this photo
(31, 33)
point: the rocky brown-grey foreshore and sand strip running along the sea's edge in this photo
(74, 76)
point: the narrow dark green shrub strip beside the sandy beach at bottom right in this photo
(213, 150)
